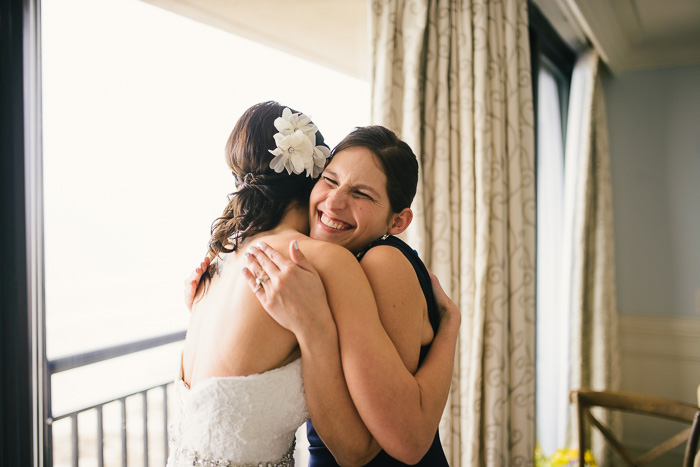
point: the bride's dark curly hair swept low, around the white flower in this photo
(262, 195)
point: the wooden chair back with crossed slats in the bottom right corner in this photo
(641, 404)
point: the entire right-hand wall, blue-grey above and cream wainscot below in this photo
(654, 130)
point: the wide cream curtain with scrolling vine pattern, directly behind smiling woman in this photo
(453, 79)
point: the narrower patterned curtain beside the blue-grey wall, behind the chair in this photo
(588, 268)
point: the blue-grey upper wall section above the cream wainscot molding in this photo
(654, 126)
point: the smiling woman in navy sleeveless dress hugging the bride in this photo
(363, 197)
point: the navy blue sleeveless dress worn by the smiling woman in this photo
(319, 455)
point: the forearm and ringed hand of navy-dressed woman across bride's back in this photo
(301, 306)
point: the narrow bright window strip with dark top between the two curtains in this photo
(552, 64)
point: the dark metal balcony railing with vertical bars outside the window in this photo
(87, 358)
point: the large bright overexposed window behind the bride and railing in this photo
(138, 104)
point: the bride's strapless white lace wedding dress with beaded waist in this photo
(239, 420)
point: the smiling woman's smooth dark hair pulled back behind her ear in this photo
(396, 158)
